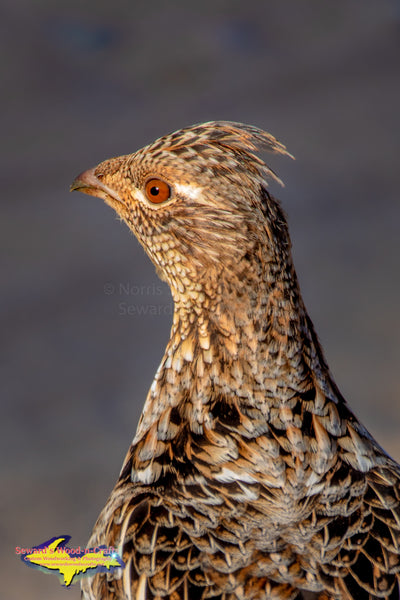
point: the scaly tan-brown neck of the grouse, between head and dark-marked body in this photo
(247, 340)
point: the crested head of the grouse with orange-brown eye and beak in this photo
(197, 202)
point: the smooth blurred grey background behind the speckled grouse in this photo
(84, 317)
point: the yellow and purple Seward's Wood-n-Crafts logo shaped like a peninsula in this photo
(70, 564)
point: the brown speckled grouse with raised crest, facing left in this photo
(249, 476)
